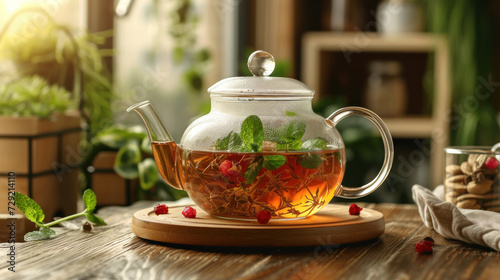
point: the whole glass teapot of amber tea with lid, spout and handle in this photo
(261, 148)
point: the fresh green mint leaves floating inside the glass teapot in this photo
(287, 138)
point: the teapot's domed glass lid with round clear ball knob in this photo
(261, 65)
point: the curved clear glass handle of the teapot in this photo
(335, 118)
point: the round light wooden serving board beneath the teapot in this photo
(331, 225)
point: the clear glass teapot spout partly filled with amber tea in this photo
(165, 150)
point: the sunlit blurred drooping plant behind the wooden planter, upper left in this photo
(63, 57)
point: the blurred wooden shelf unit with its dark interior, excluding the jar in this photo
(324, 54)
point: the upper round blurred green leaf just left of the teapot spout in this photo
(127, 159)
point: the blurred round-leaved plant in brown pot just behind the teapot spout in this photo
(121, 169)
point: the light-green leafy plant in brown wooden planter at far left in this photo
(39, 137)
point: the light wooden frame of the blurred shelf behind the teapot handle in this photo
(436, 126)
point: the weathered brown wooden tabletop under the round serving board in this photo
(114, 252)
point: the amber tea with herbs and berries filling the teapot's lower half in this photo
(240, 185)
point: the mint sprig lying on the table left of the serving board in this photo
(34, 213)
